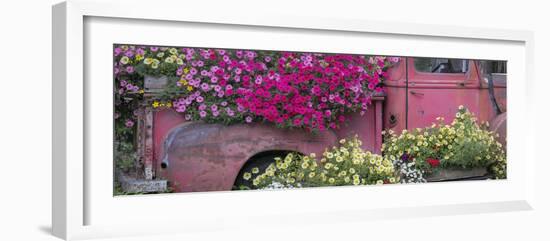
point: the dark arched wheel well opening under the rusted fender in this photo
(260, 160)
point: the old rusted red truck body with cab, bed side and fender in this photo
(195, 156)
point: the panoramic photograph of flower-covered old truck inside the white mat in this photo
(197, 119)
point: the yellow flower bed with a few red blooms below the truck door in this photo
(464, 144)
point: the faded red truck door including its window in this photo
(437, 86)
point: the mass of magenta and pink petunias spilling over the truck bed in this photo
(305, 90)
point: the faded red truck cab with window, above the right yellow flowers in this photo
(421, 89)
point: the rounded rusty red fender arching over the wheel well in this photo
(207, 157)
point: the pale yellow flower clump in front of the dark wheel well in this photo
(347, 164)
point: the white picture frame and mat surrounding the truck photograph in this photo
(81, 205)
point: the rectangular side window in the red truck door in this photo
(440, 65)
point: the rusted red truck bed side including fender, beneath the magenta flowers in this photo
(196, 156)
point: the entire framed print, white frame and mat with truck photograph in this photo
(196, 119)
